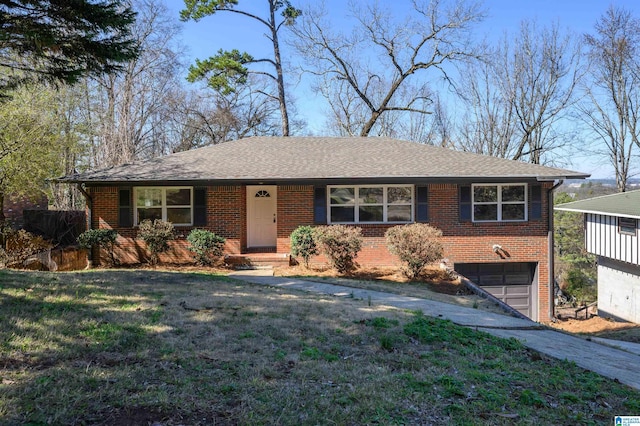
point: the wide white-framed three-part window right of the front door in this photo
(370, 203)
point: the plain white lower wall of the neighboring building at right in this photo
(618, 290)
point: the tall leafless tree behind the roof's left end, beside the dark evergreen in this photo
(126, 109)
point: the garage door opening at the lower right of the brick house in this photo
(513, 283)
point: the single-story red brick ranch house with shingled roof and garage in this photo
(494, 213)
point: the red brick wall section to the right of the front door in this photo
(464, 242)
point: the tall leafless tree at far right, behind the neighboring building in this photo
(611, 108)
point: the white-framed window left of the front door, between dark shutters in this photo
(172, 204)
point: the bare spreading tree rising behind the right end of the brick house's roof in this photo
(518, 97)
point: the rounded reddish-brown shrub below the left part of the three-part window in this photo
(340, 244)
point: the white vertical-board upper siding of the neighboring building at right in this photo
(603, 239)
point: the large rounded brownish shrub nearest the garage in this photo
(417, 245)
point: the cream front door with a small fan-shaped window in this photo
(262, 206)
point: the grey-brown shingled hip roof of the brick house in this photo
(320, 158)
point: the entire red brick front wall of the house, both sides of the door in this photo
(464, 242)
